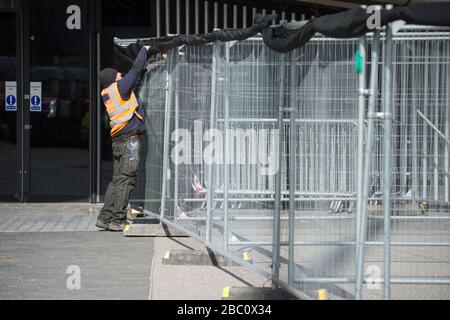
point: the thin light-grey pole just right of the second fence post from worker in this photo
(226, 145)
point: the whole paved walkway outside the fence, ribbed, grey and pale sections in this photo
(44, 246)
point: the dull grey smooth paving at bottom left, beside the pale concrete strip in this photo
(34, 265)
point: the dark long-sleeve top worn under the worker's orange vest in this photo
(126, 85)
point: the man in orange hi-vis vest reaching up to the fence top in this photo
(127, 124)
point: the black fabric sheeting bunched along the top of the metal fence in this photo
(347, 24)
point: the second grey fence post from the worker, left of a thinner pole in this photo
(211, 183)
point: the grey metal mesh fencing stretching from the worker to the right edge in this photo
(256, 155)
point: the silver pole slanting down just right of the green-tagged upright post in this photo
(373, 93)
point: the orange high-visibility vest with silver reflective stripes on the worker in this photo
(120, 111)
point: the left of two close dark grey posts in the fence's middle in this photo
(277, 209)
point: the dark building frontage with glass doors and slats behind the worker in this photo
(54, 133)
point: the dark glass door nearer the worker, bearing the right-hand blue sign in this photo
(59, 100)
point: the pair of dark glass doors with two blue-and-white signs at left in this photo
(45, 100)
